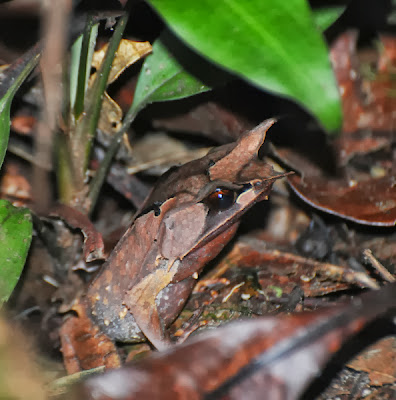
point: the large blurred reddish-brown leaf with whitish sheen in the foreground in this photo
(276, 356)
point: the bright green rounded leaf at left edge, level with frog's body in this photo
(15, 238)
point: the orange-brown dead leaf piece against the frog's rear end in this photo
(84, 345)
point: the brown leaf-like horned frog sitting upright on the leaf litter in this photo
(188, 218)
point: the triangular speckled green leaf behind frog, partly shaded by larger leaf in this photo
(162, 78)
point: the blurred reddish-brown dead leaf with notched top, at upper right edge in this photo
(368, 101)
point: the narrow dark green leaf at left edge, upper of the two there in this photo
(10, 80)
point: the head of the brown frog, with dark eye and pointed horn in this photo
(210, 195)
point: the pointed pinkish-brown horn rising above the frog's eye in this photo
(245, 150)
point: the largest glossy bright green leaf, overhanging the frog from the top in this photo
(273, 44)
